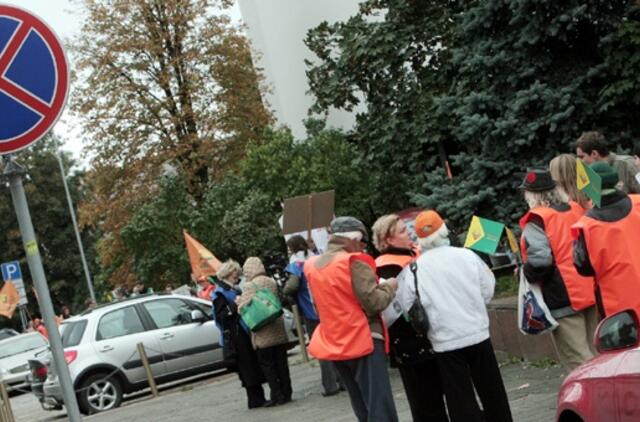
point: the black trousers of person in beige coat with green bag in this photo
(275, 366)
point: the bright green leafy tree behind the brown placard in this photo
(239, 216)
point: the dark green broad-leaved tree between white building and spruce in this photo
(389, 57)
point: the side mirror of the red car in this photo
(617, 332)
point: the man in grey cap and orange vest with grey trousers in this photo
(349, 300)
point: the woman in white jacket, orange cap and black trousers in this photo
(455, 286)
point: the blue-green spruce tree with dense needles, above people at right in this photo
(528, 75)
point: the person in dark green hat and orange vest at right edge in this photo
(606, 245)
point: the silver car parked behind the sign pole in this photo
(179, 337)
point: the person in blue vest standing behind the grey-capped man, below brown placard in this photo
(297, 288)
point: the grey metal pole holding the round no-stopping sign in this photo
(14, 173)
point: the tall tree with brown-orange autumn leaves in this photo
(159, 82)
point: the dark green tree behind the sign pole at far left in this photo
(52, 224)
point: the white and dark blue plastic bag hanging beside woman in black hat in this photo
(534, 316)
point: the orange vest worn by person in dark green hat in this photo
(614, 252)
